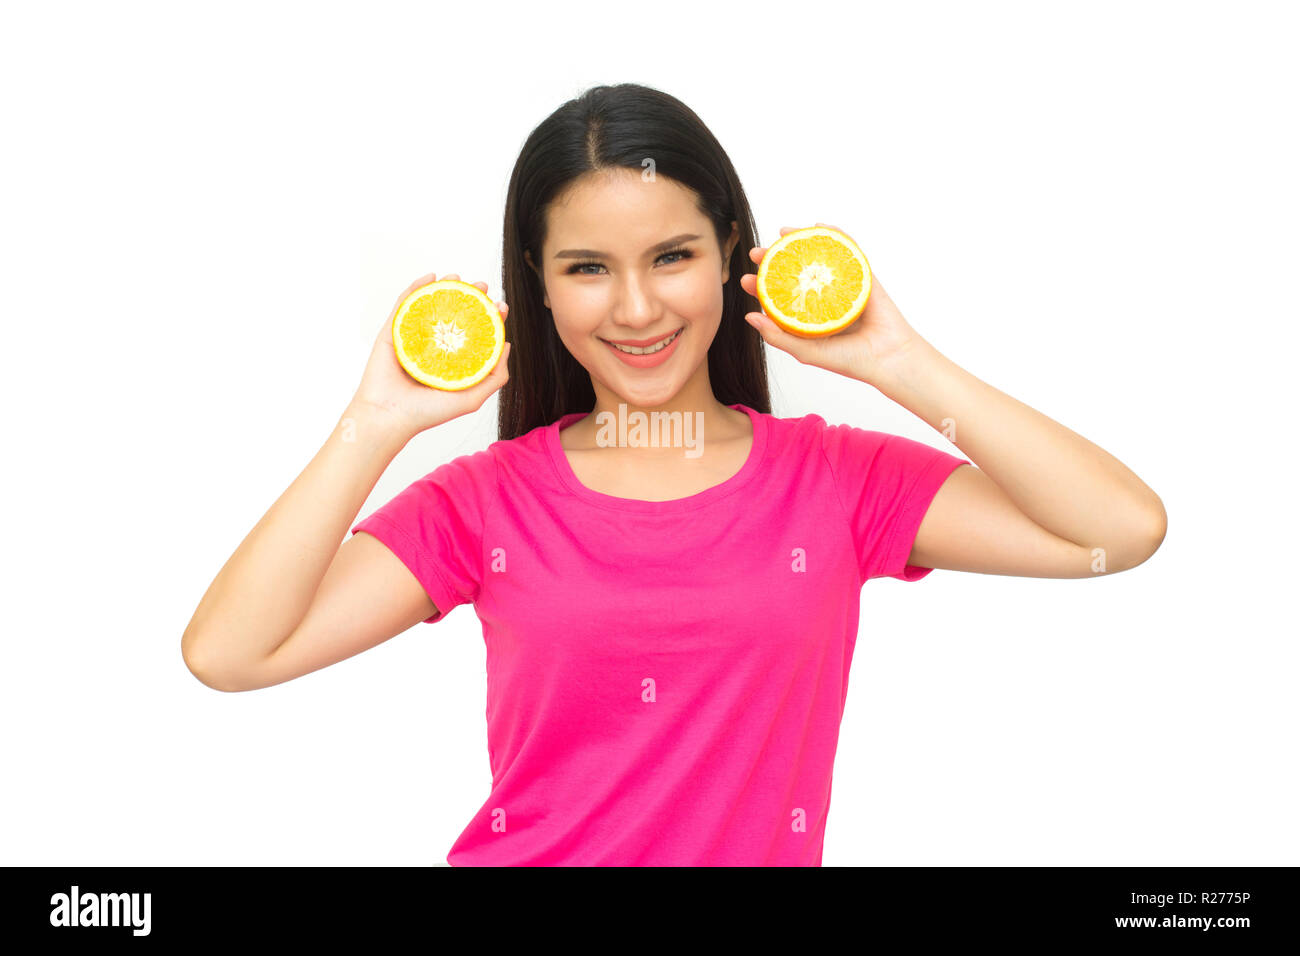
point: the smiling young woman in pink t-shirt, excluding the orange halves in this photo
(669, 624)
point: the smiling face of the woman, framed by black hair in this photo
(626, 261)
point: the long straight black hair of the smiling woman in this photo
(604, 129)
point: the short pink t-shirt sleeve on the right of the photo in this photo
(886, 485)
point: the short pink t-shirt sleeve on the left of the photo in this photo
(436, 529)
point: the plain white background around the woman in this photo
(209, 213)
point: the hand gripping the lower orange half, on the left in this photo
(414, 406)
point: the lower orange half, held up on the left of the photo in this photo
(448, 335)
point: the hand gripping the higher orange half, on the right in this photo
(865, 351)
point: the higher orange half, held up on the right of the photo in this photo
(814, 282)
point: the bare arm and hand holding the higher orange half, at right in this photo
(1043, 501)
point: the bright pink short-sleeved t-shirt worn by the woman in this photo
(665, 678)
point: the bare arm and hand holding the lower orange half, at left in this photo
(292, 599)
